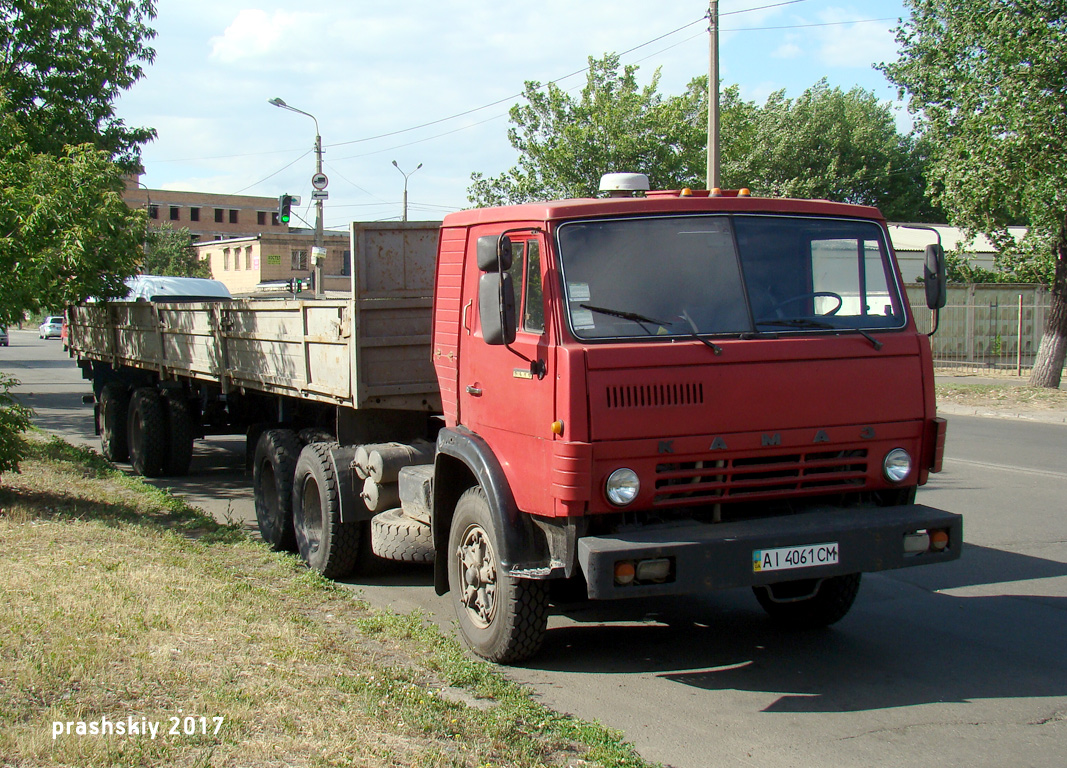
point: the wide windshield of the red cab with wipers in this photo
(722, 275)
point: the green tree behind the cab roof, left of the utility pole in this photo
(566, 145)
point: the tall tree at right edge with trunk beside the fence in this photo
(989, 87)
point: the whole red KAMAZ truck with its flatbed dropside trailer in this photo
(655, 393)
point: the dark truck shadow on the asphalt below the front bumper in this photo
(904, 644)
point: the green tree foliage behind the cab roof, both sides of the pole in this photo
(826, 143)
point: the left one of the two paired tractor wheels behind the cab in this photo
(274, 470)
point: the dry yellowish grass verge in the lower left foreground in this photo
(121, 602)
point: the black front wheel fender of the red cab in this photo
(465, 457)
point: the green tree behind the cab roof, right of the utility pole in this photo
(832, 145)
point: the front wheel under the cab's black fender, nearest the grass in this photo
(502, 619)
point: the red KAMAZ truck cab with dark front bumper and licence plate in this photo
(676, 393)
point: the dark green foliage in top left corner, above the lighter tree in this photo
(62, 66)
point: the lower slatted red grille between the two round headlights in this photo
(719, 481)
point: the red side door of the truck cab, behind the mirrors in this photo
(507, 393)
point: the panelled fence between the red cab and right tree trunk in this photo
(986, 328)
